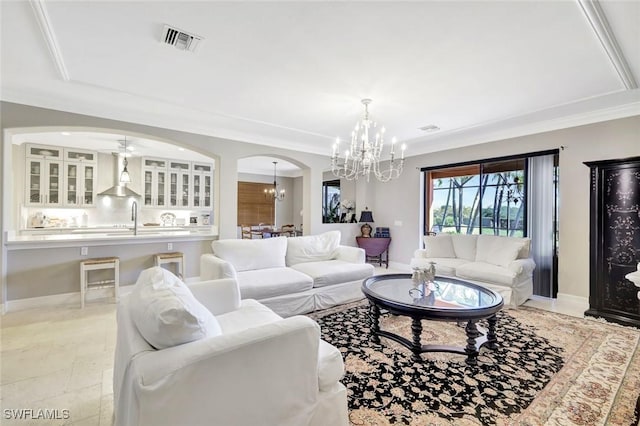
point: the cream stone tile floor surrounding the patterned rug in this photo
(61, 358)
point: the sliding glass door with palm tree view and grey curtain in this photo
(510, 196)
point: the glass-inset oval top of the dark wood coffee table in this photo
(451, 298)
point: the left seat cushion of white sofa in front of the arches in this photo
(270, 282)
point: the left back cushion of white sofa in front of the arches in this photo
(247, 255)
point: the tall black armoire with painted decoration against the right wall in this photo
(614, 240)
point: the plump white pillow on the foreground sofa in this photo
(165, 311)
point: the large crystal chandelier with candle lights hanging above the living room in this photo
(363, 155)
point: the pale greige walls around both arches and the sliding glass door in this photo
(397, 201)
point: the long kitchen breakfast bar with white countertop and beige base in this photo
(44, 268)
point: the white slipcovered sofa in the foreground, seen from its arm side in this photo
(217, 360)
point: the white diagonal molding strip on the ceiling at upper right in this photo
(596, 17)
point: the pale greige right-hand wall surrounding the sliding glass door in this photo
(400, 200)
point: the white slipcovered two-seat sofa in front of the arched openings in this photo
(290, 275)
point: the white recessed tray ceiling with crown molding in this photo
(292, 74)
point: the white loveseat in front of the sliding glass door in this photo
(499, 263)
